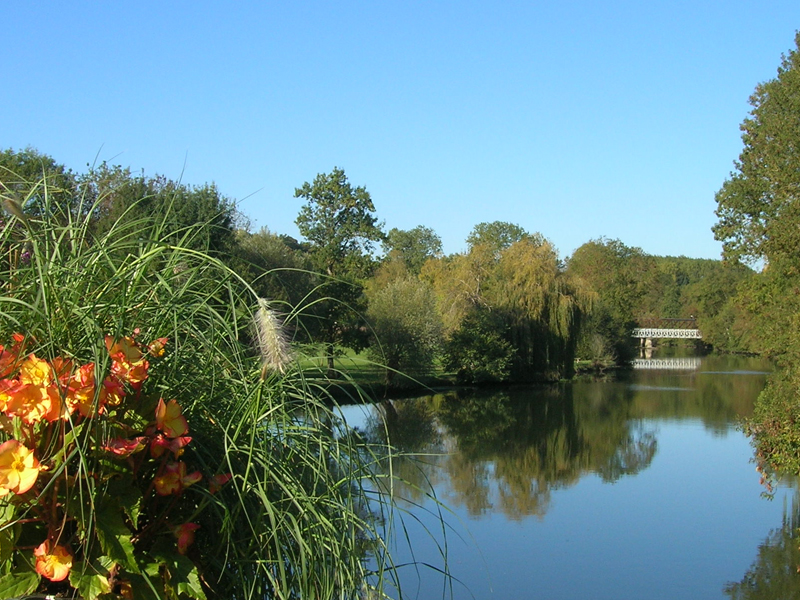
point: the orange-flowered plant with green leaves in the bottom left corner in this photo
(93, 481)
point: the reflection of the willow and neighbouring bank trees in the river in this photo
(507, 450)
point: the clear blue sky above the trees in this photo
(573, 119)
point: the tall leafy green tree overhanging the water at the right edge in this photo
(759, 221)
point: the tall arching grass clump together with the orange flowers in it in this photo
(149, 450)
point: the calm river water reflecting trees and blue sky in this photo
(640, 488)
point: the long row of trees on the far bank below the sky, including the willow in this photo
(508, 308)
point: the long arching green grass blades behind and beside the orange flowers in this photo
(302, 512)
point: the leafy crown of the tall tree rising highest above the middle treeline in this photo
(338, 221)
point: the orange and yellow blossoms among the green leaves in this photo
(34, 390)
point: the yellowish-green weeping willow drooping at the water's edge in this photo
(514, 292)
